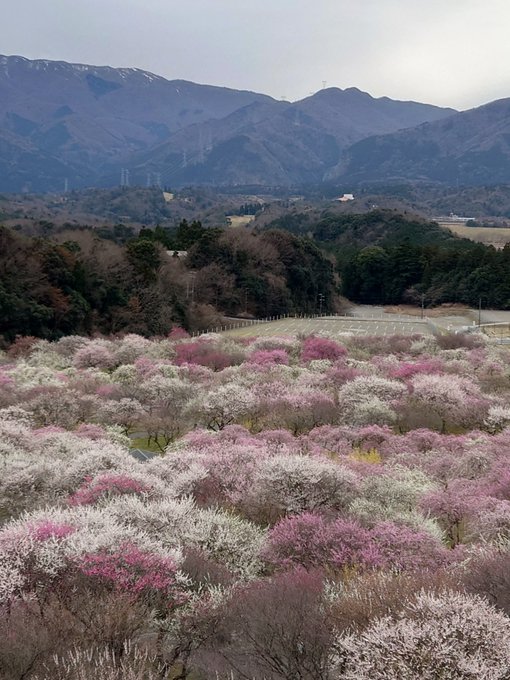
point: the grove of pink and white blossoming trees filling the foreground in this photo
(310, 509)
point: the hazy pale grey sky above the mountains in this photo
(447, 52)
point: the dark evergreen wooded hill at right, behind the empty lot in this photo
(386, 258)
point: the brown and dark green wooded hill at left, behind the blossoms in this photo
(86, 284)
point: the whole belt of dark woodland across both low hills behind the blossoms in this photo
(110, 281)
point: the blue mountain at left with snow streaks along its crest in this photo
(81, 118)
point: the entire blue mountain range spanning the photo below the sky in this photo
(75, 125)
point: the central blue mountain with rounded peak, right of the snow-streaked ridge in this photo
(281, 143)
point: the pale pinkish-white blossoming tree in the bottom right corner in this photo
(450, 636)
